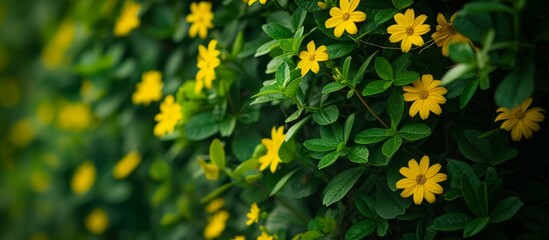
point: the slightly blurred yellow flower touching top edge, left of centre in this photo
(201, 17)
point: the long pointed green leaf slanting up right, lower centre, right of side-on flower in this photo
(338, 187)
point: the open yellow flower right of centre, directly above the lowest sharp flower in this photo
(426, 95)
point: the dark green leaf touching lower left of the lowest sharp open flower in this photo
(389, 204)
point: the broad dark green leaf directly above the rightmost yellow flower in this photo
(516, 86)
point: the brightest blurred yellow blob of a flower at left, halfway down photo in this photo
(74, 116)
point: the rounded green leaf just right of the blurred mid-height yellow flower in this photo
(201, 126)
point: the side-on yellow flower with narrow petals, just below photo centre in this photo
(271, 157)
